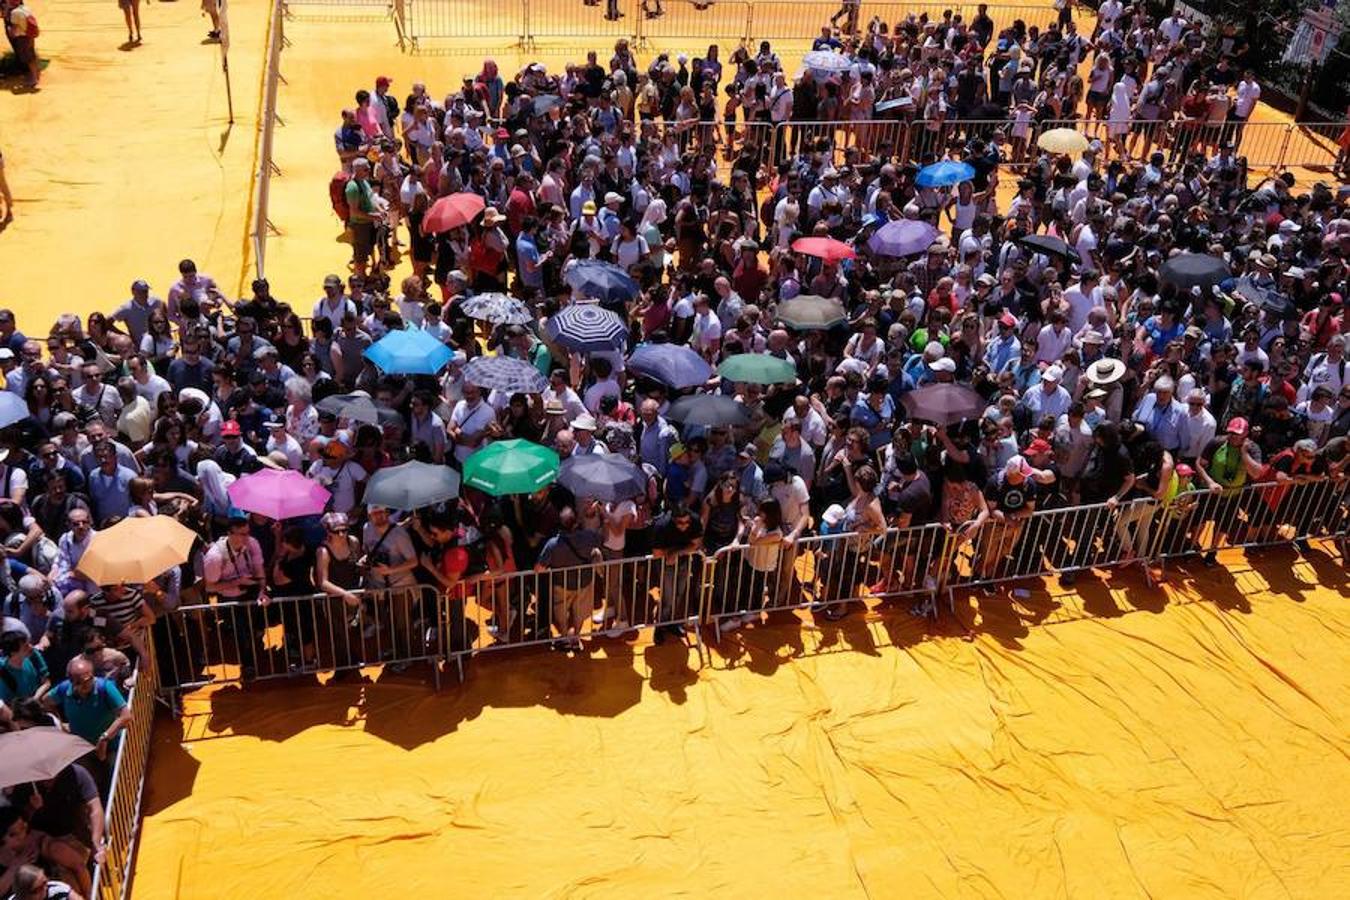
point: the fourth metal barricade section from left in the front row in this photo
(1052, 542)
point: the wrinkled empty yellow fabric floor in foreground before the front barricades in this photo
(1117, 743)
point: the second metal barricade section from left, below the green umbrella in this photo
(566, 605)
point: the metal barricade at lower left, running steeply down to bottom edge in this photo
(122, 812)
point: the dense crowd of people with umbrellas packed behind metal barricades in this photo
(1101, 377)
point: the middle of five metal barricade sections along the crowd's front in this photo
(824, 571)
